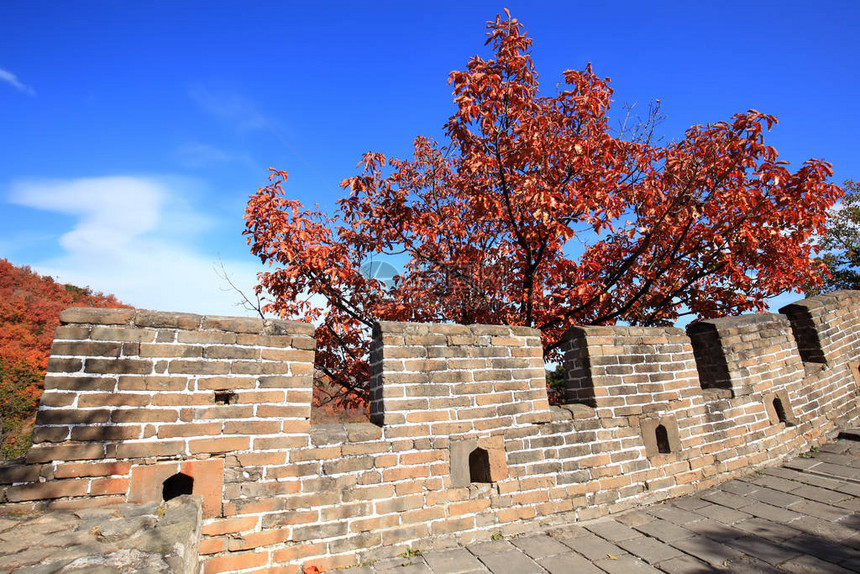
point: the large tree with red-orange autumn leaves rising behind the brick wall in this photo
(533, 212)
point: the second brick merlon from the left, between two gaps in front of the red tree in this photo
(457, 379)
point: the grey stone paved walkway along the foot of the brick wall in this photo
(801, 518)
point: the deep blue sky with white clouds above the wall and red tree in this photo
(131, 134)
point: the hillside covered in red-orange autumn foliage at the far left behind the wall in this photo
(30, 307)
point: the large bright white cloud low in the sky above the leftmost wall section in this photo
(134, 237)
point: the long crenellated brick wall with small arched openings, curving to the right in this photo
(141, 406)
